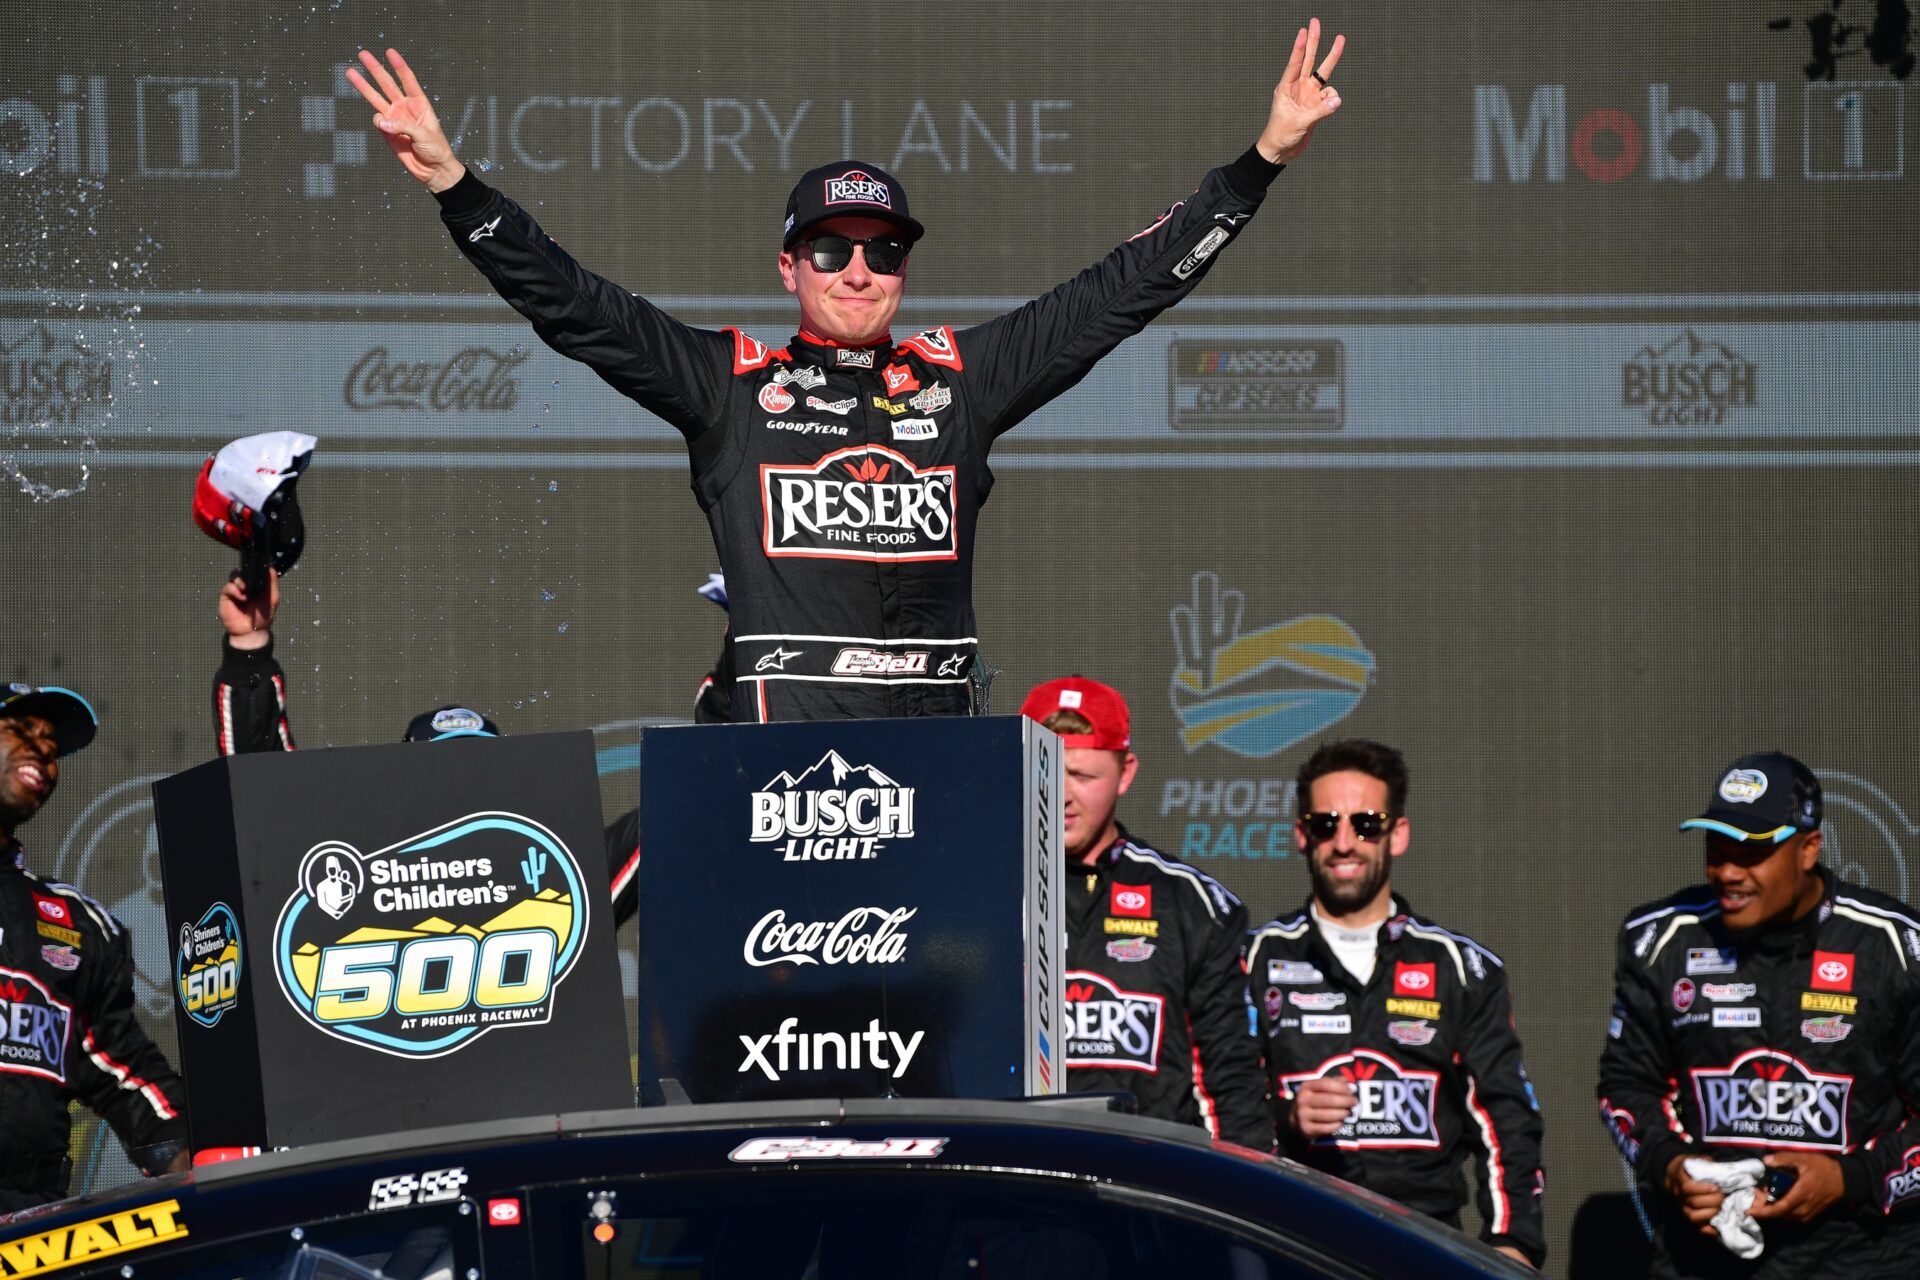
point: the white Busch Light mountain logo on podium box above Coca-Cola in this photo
(832, 811)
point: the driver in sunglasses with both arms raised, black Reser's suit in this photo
(844, 473)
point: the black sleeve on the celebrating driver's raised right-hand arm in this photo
(1026, 358)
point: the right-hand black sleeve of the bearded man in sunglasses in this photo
(1506, 1118)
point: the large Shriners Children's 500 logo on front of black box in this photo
(425, 945)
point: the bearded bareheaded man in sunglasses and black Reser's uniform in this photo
(1391, 1045)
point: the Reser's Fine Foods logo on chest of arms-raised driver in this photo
(865, 504)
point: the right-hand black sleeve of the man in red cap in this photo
(1226, 1055)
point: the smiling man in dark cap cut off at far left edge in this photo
(66, 976)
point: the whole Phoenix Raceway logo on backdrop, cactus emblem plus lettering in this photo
(1251, 694)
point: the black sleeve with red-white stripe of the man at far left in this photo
(120, 1074)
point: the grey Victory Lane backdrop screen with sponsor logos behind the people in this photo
(1552, 421)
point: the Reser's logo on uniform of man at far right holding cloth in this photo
(1767, 1099)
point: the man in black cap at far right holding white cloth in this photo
(1771, 1012)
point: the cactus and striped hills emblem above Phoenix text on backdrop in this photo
(1259, 694)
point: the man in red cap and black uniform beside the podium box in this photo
(1155, 987)
